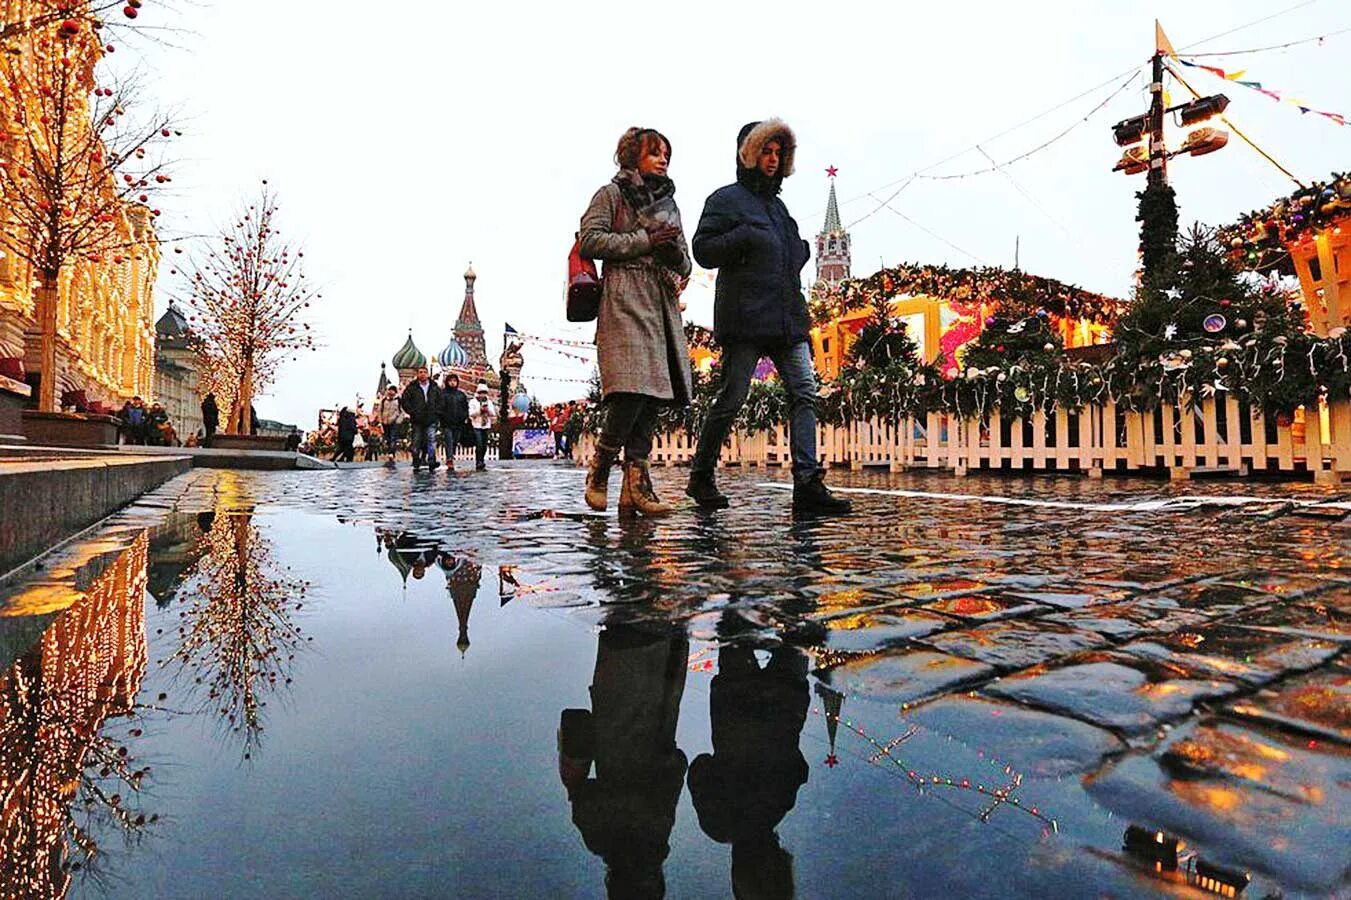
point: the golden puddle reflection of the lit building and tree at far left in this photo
(63, 780)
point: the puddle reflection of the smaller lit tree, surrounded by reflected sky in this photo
(238, 637)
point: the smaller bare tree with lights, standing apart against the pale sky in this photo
(249, 301)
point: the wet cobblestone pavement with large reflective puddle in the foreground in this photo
(980, 687)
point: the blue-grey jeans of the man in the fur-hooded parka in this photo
(799, 378)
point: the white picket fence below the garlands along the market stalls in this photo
(1211, 437)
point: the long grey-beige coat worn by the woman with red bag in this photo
(640, 336)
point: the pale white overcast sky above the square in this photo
(406, 147)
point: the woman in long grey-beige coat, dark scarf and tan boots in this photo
(634, 228)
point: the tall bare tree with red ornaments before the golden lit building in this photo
(78, 171)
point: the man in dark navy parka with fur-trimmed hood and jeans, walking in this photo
(760, 311)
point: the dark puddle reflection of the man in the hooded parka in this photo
(745, 789)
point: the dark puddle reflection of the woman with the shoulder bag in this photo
(628, 811)
